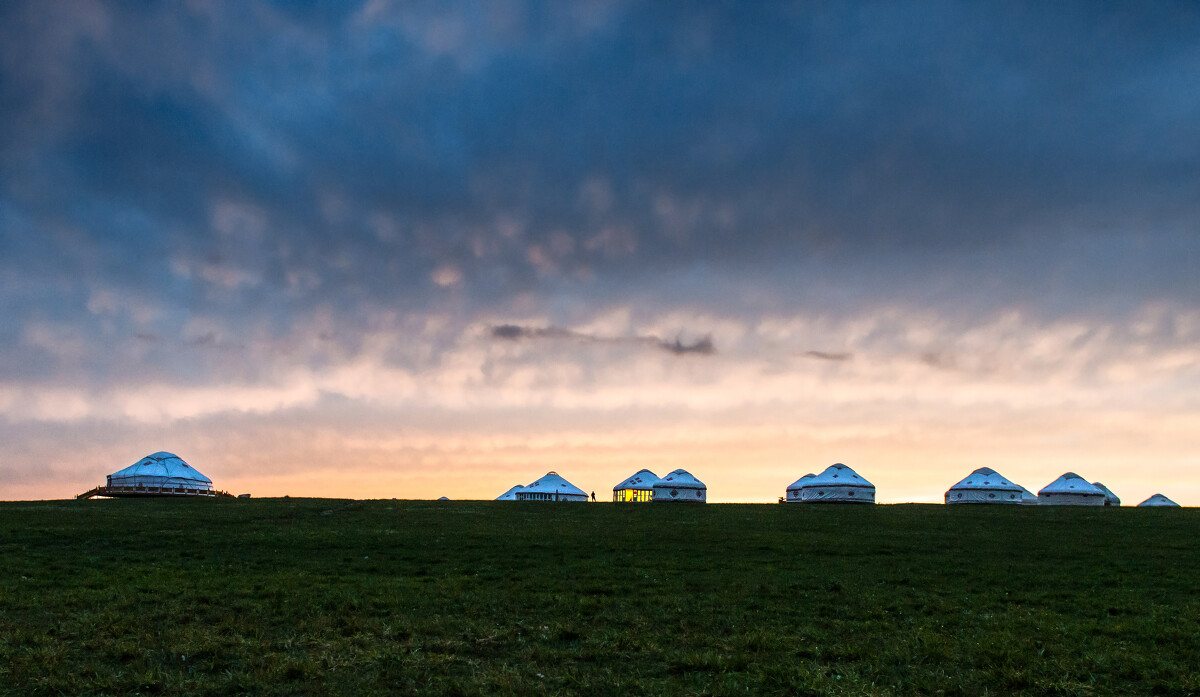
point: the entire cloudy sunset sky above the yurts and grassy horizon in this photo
(422, 249)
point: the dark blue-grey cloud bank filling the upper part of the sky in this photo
(266, 161)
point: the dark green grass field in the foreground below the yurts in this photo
(303, 597)
